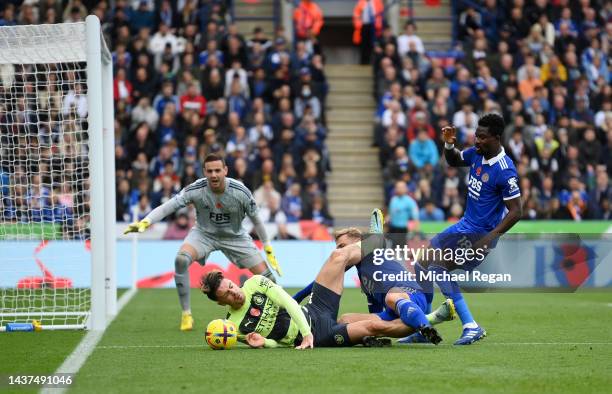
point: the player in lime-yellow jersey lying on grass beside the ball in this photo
(268, 316)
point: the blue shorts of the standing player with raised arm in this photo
(459, 236)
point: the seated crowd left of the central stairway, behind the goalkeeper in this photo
(187, 84)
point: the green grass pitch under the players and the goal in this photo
(537, 342)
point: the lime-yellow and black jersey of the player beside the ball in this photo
(271, 312)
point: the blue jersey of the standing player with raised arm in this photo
(490, 183)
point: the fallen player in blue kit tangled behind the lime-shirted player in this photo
(387, 299)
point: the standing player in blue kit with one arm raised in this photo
(493, 206)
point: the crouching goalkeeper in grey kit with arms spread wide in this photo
(221, 204)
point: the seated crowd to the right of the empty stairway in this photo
(544, 65)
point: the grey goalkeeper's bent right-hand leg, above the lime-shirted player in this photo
(244, 254)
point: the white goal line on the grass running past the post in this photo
(79, 355)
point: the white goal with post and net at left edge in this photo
(57, 177)
